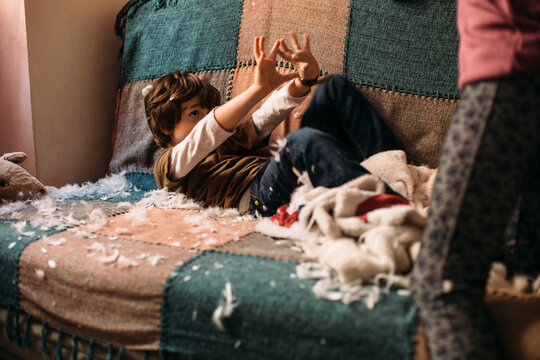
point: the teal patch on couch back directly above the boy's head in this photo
(188, 35)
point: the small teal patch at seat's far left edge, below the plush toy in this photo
(12, 245)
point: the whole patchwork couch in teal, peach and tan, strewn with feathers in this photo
(118, 269)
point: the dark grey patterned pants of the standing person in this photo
(484, 208)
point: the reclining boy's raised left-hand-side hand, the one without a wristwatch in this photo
(266, 75)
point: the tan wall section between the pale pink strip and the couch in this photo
(73, 72)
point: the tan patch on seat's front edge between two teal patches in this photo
(103, 288)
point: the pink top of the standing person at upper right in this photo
(497, 38)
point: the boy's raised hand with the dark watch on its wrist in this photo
(301, 57)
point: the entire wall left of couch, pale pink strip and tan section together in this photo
(58, 78)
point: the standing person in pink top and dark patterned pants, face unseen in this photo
(489, 167)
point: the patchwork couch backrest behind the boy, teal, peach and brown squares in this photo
(402, 54)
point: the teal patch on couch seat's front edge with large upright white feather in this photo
(277, 315)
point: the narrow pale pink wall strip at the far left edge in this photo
(15, 107)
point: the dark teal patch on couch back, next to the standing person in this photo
(407, 46)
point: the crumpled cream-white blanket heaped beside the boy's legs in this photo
(329, 231)
